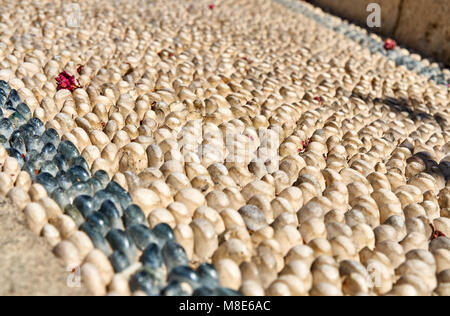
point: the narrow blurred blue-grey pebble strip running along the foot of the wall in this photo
(357, 35)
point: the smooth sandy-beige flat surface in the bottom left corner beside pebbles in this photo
(27, 264)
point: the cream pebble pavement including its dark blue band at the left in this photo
(225, 149)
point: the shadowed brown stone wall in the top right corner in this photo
(423, 25)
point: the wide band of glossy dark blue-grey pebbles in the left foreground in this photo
(101, 208)
